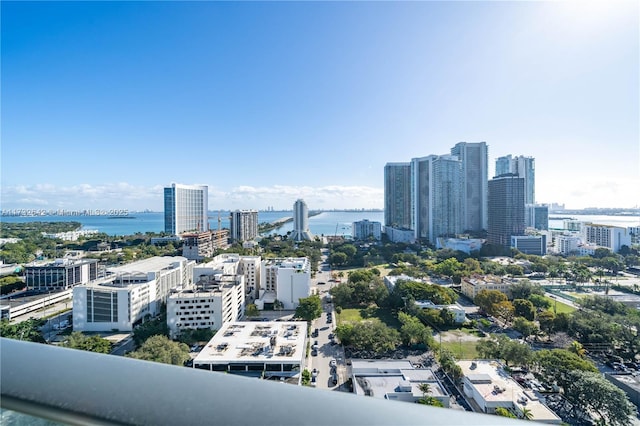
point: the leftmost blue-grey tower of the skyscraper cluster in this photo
(397, 195)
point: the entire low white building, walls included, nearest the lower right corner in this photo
(491, 387)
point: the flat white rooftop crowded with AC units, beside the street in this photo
(250, 342)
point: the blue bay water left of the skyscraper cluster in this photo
(325, 223)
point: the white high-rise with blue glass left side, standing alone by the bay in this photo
(186, 208)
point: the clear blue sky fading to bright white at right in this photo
(104, 103)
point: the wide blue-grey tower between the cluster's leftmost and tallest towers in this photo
(436, 196)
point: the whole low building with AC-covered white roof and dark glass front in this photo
(269, 350)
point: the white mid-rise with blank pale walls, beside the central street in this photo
(285, 279)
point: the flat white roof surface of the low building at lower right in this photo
(496, 385)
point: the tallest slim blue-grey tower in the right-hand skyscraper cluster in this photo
(474, 159)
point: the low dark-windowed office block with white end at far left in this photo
(60, 274)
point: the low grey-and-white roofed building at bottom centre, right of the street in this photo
(395, 380)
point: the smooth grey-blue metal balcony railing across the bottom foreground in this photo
(84, 388)
